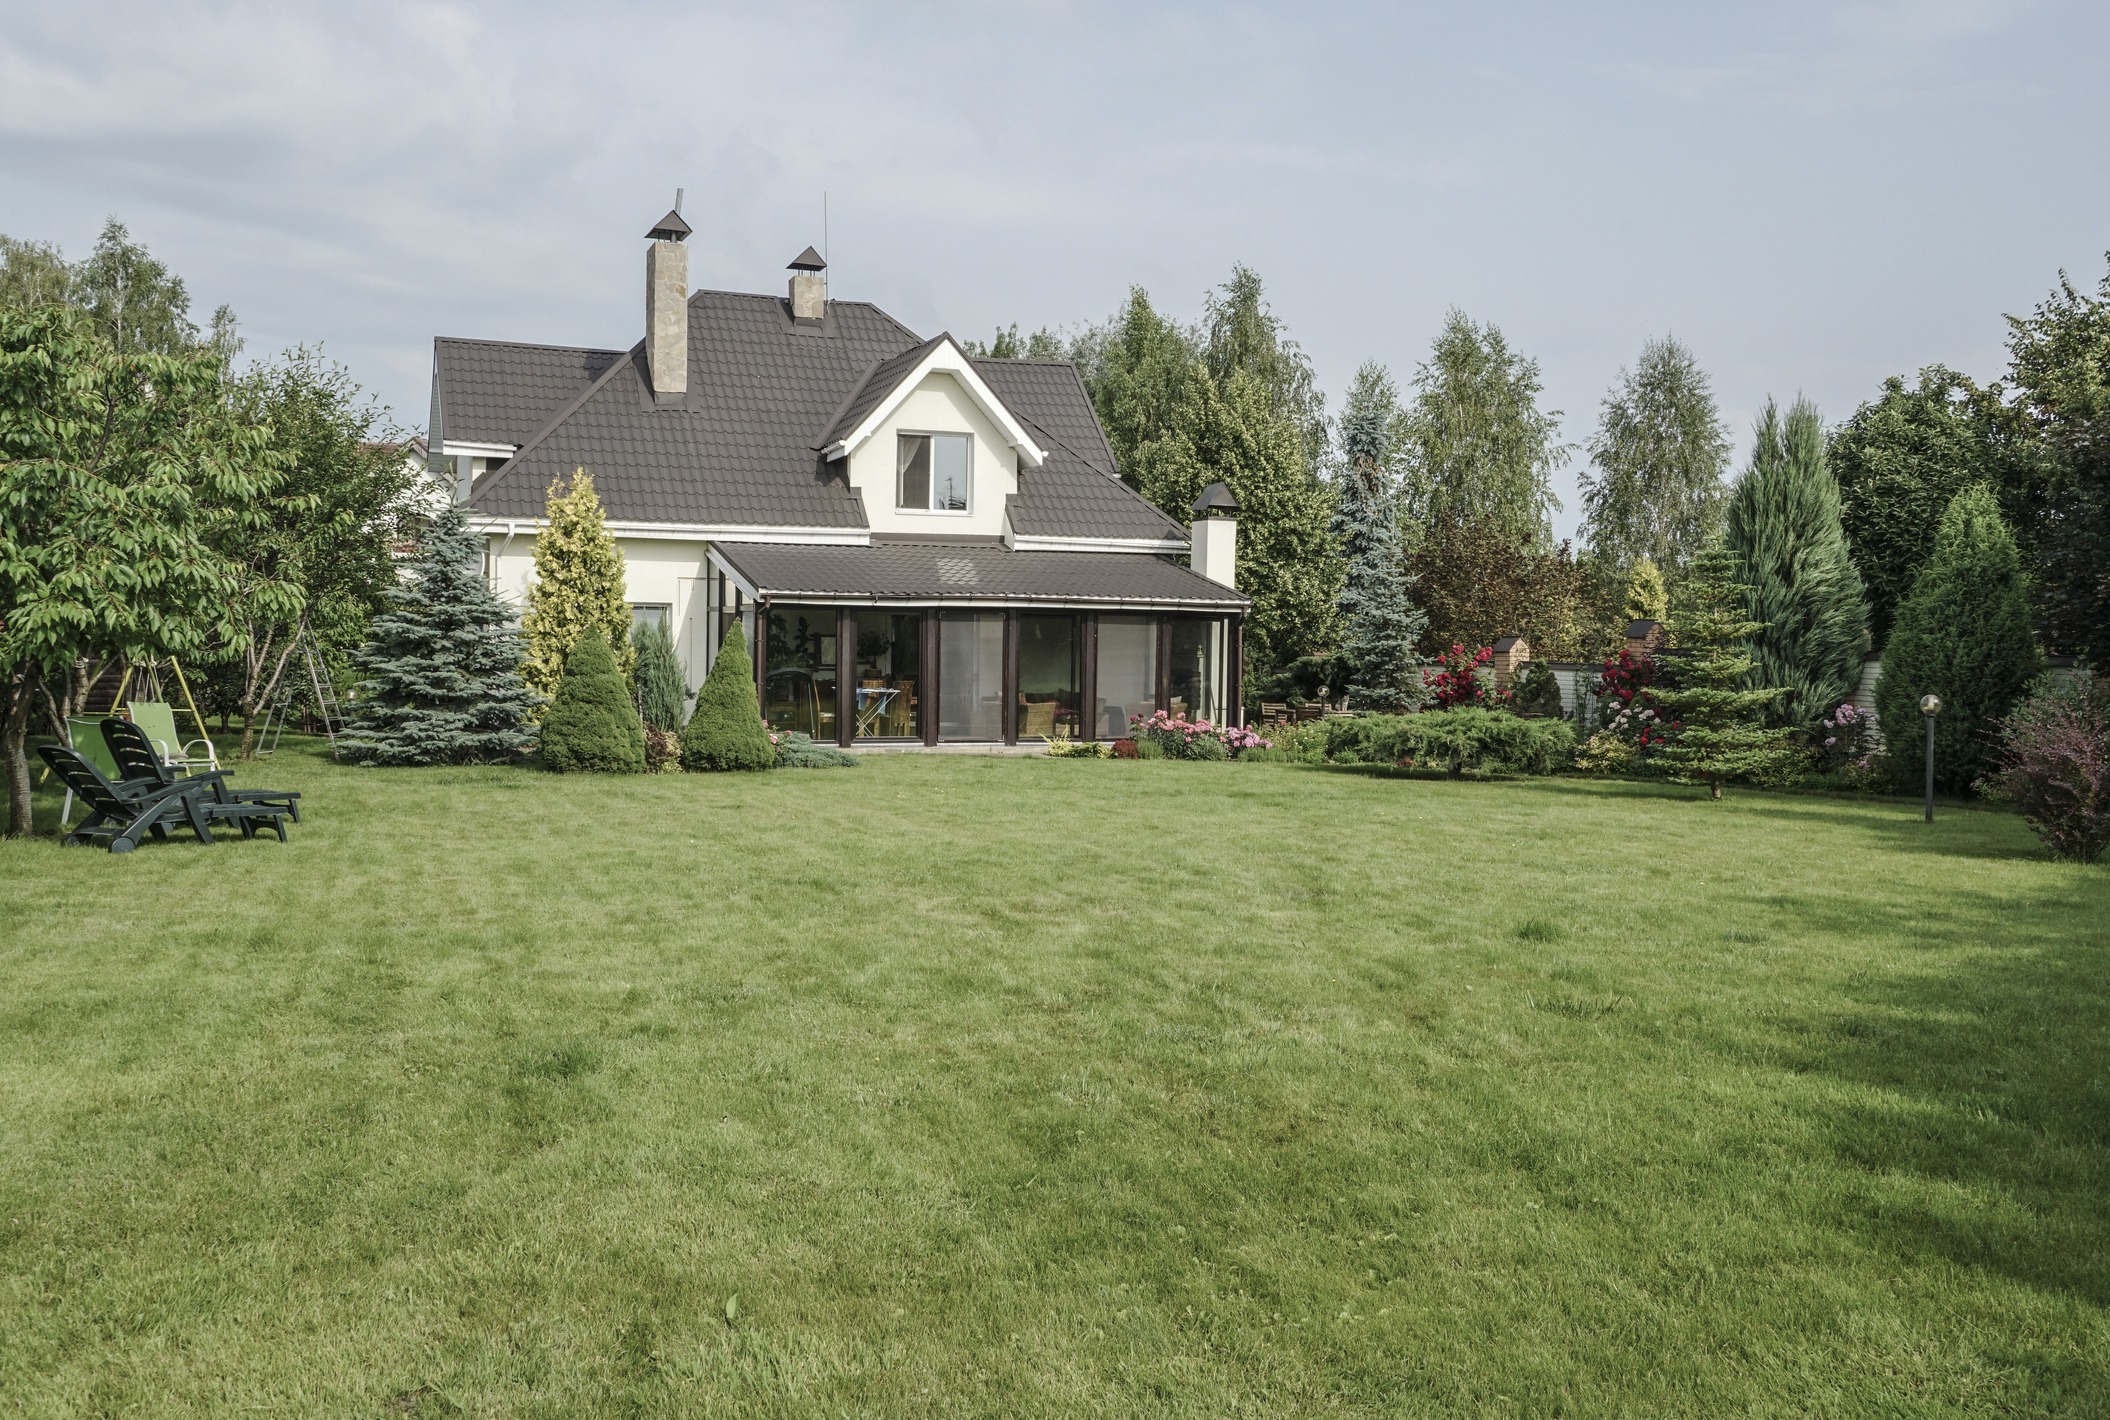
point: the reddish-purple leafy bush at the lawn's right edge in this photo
(2056, 767)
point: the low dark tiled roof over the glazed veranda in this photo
(972, 573)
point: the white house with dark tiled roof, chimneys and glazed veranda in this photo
(927, 548)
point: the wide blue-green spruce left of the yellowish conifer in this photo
(442, 666)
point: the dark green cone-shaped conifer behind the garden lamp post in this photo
(1963, 634)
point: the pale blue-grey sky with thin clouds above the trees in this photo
(1811, 197)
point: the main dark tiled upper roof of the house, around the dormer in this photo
(744, 446)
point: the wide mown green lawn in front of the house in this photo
(1024, 1088)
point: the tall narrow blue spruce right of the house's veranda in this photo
(1383, 626)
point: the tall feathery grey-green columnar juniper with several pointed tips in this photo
(1801, 583)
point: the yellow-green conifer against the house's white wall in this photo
(577, 586)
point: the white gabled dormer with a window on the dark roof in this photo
(929, 446)
